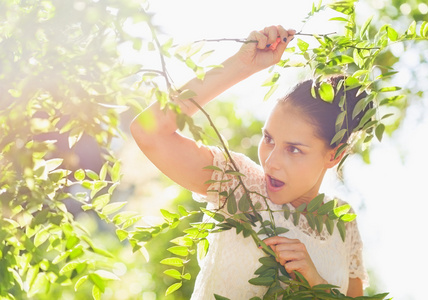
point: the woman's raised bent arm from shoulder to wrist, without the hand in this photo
(178, 157)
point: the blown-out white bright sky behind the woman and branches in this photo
(388, 194)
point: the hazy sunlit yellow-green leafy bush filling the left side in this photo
(60, 82)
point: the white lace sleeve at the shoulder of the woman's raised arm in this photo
(222, 181)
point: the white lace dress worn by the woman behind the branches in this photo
(232, 259)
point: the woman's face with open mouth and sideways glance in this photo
(293, 158)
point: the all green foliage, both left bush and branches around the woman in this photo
(61, 82)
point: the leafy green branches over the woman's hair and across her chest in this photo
(355, 54)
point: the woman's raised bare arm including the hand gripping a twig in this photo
(178, 157)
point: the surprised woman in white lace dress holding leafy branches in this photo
(294, 154)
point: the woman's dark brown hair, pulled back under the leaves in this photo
(322, 114)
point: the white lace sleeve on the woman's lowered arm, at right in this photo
(355, 250)
